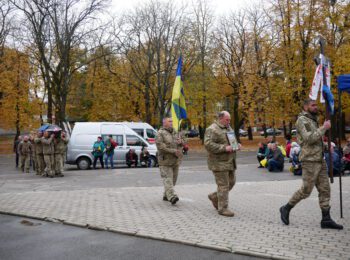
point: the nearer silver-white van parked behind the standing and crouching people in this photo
(84, 135)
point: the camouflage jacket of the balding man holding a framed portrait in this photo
(215, 142)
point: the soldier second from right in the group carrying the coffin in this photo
(48, 151)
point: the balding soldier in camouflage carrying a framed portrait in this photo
(222, 161)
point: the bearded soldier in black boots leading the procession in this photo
(314, 167)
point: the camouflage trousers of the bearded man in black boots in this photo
(314, 174)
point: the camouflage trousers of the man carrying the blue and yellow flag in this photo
(169, 176)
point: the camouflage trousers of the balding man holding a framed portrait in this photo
(225, 180)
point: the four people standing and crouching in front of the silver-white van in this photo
(104, 152)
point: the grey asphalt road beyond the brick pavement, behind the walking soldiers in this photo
(194, 170)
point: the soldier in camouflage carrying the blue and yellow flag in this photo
(169, 146)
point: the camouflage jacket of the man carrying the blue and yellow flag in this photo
(167, 147)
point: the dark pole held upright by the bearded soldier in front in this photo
(328, 116)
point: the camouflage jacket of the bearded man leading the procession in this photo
(309, 136)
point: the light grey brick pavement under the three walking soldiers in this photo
(256, 229)
